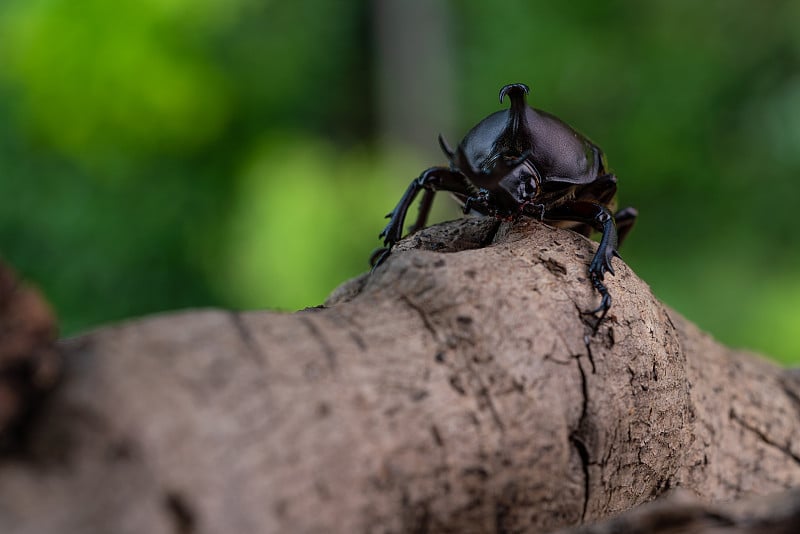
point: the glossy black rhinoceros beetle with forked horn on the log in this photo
(525, 162)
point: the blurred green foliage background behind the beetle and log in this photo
(162, 154)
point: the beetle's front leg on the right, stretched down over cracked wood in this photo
(599, 218)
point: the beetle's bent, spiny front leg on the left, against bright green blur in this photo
(431, 180)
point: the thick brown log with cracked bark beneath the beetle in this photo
(458, 388)
